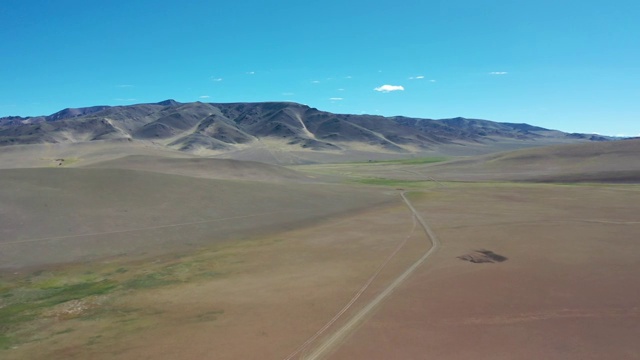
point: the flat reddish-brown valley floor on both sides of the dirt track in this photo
(567, 288)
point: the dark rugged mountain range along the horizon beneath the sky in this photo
(221, 127)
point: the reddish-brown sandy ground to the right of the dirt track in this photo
(569, 289)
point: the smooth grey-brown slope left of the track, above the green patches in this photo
(61, 215)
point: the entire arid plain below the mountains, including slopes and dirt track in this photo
(148, 254)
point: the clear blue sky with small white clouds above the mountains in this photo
(563, 64)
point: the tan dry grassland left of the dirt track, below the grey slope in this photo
(256, 299)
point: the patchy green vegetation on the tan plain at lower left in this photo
(71, 293)
